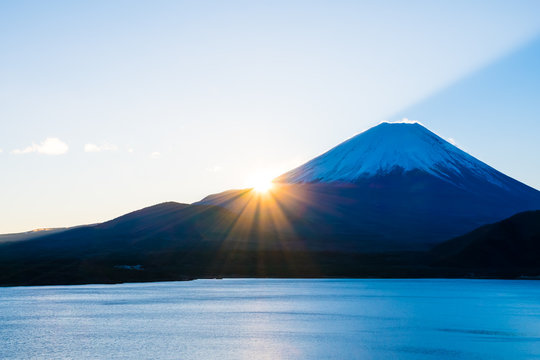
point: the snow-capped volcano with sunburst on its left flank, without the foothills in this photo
(396, 186)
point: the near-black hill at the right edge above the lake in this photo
(513, 243)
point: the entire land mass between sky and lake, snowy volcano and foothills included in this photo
(394, 201)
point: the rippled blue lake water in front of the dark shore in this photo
(274, 319)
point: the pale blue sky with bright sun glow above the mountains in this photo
(110, 106)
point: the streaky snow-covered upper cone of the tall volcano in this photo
(387, 147)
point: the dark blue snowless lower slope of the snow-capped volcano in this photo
(395, 212)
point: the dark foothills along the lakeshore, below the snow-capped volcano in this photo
(508, 249)
